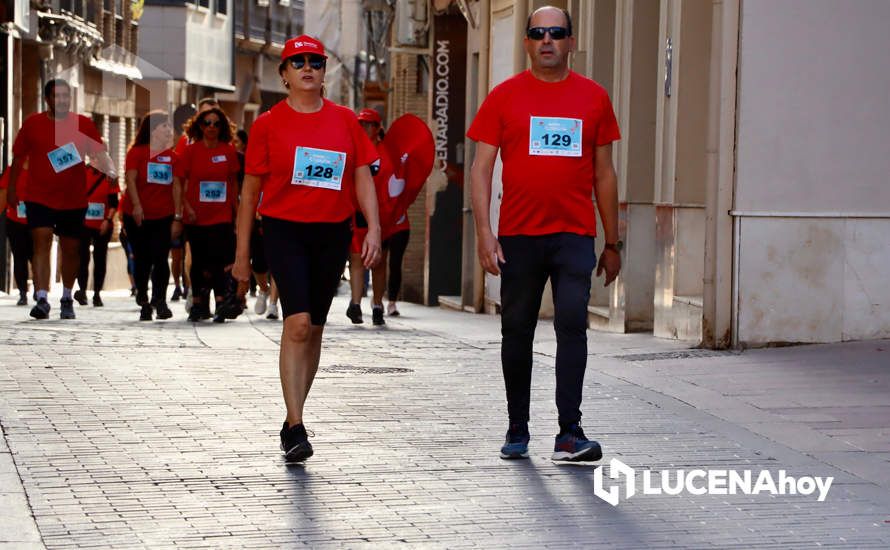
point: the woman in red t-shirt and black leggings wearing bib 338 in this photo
(152, 210)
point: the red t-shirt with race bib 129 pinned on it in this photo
(549, 176)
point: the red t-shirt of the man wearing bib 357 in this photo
(56, 149)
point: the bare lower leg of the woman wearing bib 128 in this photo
(298, 362)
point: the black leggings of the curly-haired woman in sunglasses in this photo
(213, 249)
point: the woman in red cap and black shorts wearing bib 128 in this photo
(314, 158)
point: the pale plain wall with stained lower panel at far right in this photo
(814, 137)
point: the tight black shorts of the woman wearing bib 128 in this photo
(306, 261)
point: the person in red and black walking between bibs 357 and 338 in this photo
(98, 226)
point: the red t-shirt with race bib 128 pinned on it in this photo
(310, 160)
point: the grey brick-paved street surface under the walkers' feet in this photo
(162, 434)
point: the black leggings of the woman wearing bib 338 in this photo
(151, 246)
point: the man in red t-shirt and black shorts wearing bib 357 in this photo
(55, 143)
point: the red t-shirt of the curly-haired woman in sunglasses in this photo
(209, 179)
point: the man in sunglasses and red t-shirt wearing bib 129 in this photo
(554, 129)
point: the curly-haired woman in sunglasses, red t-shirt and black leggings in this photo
(208, 169)
